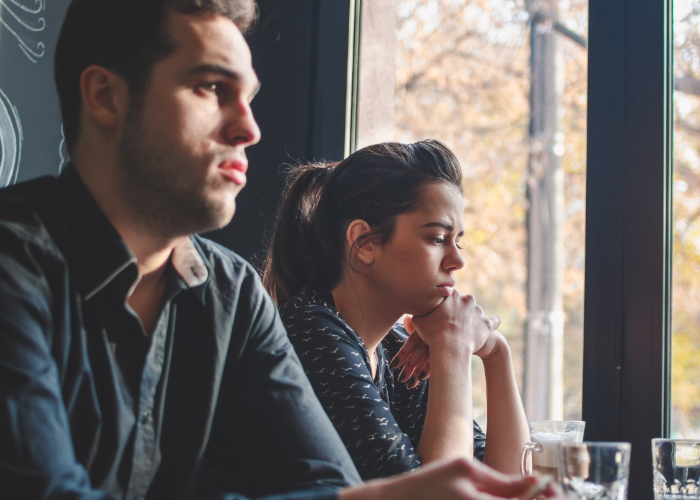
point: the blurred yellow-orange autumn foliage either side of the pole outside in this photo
(463, 76)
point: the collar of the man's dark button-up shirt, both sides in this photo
(99, 254)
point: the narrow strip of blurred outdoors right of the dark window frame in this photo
(685, 389)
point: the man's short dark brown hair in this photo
(125, 36)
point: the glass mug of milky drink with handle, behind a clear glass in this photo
(541, 454)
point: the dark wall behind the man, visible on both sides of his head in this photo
(299, 52)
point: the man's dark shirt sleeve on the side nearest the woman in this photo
(270, 435)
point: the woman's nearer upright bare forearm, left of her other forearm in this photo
(448, 431)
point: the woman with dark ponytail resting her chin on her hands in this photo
(358, 245)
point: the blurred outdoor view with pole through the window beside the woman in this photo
(504, 84)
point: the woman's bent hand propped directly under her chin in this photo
(458, 323)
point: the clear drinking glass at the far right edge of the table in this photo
(676, 469)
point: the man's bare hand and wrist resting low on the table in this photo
(454, 480)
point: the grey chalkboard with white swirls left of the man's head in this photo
(31, 142)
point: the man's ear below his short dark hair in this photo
(105, 96)
